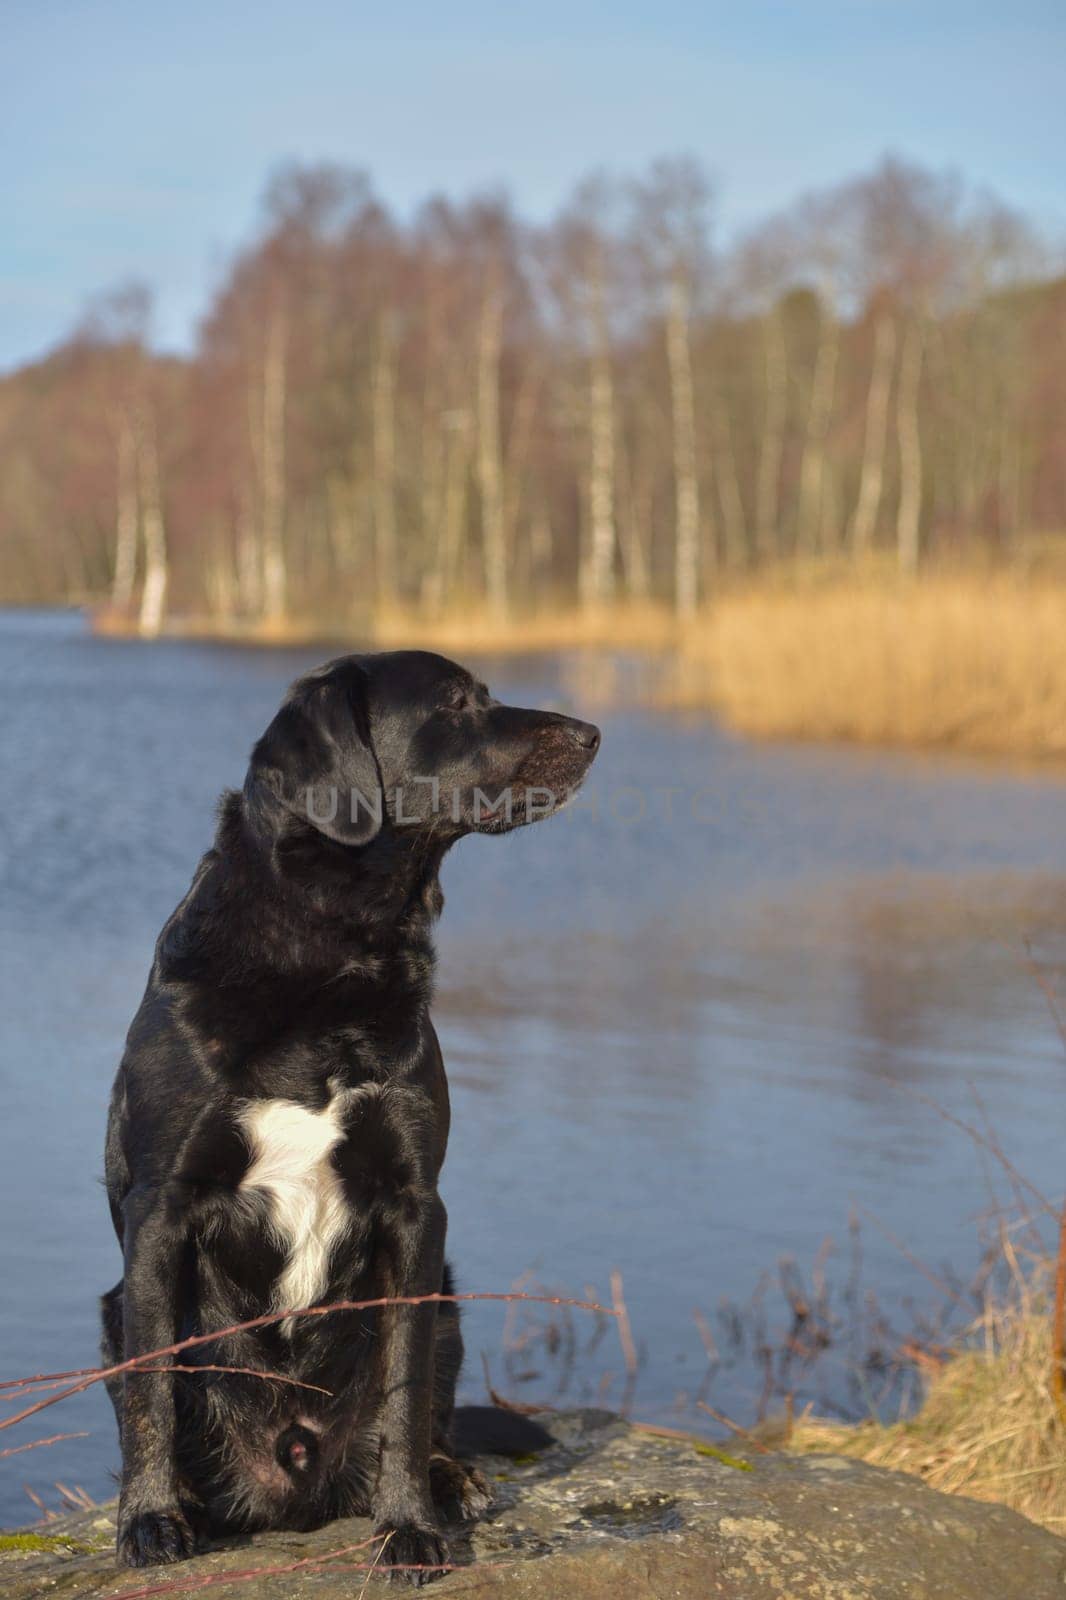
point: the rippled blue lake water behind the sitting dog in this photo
(732, 1015)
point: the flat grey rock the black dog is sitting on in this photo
(607, 1513)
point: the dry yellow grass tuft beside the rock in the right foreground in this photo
(990, 1426)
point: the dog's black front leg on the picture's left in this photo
(153, 1527)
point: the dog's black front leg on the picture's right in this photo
(404, 1510)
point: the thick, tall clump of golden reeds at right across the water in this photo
(966, 662)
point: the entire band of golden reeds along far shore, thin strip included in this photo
(969, 660)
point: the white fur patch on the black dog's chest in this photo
(291, 1166)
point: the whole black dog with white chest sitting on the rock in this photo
(281, 1118)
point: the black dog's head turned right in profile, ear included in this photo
(412, 742)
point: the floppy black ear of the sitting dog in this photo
(318, 761)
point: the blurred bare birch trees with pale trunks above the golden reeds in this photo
(467, 409)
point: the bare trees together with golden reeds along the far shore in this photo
(814, 478)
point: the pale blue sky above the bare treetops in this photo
(135, 140)
